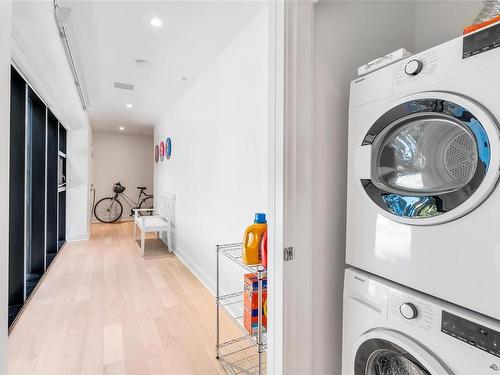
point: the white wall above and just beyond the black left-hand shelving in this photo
(38, 51)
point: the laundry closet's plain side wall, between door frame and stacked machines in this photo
(347, 35)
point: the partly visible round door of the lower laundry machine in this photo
(383, 352)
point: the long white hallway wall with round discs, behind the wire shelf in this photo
(218, 168)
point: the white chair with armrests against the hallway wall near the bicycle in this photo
(161, 221)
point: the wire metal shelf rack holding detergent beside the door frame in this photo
(245, 354)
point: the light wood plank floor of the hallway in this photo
(103, 309)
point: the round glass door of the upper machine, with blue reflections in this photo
(431, 158)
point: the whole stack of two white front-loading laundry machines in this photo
(422, 291)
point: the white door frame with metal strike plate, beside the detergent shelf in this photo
(290, 185)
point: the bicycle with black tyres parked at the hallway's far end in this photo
(108, 210)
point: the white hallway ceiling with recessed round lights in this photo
(110, 36)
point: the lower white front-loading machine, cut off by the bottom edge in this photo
(392, 330)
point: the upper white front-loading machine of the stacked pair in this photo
(424, 159)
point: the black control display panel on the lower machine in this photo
(472, 333)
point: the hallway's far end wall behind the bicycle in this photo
(127, 158)
